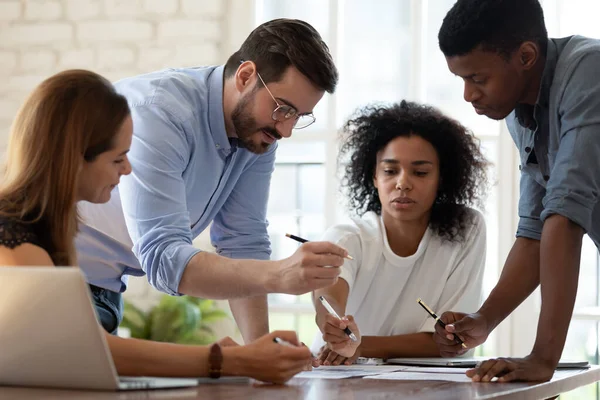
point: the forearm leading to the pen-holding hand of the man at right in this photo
(520, 276)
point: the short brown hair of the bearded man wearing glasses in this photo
(280, 43)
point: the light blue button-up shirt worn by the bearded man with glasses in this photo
(186, 174)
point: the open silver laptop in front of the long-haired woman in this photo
(50, 336)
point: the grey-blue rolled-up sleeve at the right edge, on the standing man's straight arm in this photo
(574, 184)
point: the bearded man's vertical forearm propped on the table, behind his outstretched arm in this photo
(251, 316)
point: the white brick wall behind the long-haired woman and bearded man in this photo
(116, 38)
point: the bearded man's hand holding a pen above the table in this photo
(306, 270)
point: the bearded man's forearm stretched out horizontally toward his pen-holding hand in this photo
(212, 276)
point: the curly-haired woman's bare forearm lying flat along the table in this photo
(411, 345)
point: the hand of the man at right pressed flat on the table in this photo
(530, 368)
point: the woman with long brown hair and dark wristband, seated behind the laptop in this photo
(69, 143)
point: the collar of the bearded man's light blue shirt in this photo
(216, 118)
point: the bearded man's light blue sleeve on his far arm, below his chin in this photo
(239, 229)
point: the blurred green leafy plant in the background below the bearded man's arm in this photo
(176, 319)
